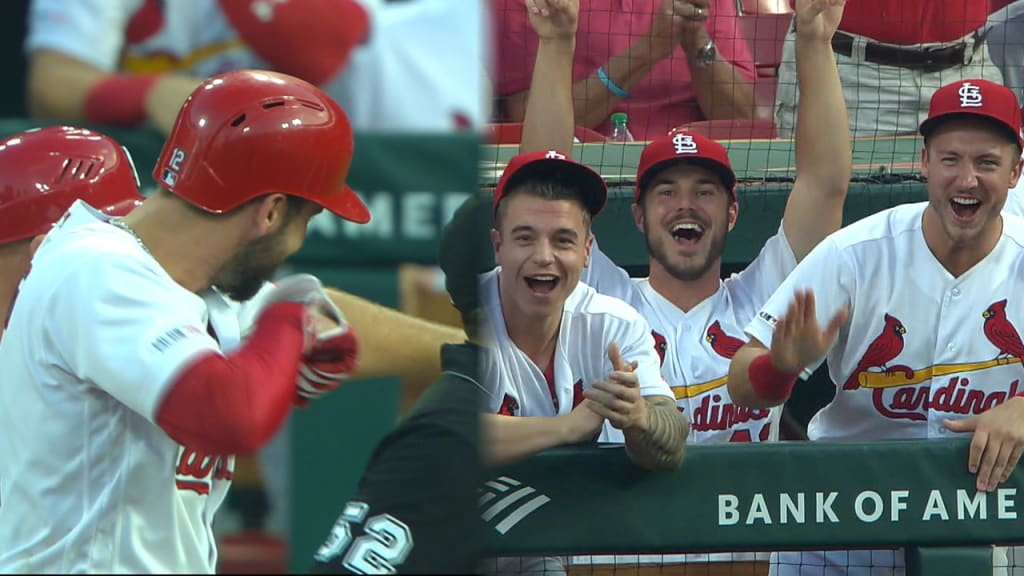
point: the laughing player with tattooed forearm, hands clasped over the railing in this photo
(559, 348)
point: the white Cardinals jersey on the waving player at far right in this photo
(920, 346)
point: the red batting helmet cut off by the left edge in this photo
(44, 172)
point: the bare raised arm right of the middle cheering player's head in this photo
(824, 157)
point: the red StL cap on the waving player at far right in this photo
(977, 98)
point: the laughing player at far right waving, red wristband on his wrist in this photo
(915, 309)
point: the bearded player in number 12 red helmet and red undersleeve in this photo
(147, 389)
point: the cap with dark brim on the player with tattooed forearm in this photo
(553, 166)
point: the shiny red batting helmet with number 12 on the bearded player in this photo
(248, 134)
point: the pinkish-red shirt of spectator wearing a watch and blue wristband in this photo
(661, 102)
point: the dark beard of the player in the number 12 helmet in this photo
(252, 267)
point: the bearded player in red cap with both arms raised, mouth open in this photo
(686, 204)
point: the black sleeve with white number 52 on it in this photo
(415, 510)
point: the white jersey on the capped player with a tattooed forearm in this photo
(591, 322)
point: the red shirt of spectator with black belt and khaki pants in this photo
(914, 22)
